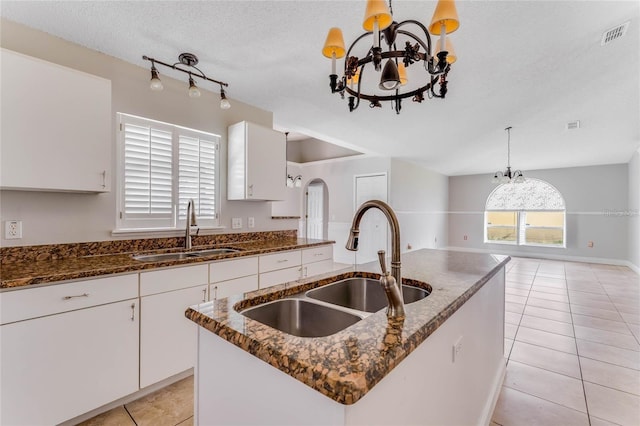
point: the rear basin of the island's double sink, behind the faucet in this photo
(362, 294)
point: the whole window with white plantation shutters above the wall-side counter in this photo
(162, 166)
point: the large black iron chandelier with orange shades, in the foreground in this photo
(412, 70)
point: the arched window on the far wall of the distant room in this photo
(529, 213)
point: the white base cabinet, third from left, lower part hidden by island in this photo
(229, 277)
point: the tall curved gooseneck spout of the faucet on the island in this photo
(352, 241)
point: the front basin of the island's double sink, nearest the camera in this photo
(301, 318)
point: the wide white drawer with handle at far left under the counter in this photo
(28, 303)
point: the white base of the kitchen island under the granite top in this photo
(234, 387)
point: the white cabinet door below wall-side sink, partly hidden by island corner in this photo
(167, 338)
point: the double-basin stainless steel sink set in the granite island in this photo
(329, 309)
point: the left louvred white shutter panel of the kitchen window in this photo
(147, 171)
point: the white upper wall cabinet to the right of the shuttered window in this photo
(257, 163)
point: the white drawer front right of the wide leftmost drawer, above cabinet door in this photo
(160, 281)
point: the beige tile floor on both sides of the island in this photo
(572, 333)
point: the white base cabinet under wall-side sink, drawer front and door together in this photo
(167, 337)
